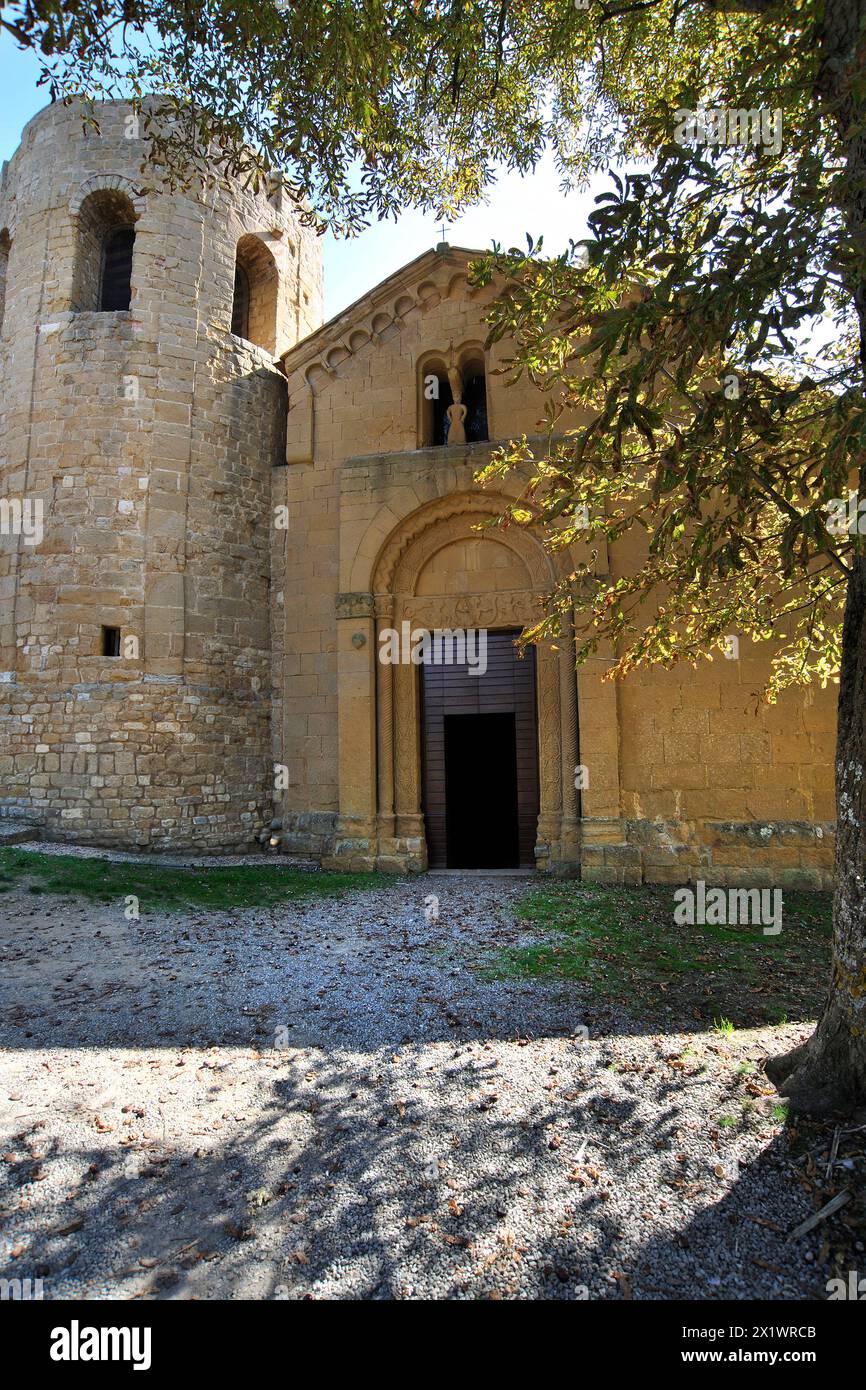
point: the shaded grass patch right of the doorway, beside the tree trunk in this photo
(626, 947)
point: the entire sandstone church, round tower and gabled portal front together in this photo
(240, 502)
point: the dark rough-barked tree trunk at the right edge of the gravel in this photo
(828, 1075)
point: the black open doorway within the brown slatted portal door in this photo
(482, 792)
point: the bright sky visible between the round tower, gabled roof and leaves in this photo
(352, 268)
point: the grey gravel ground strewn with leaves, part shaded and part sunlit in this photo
(327, 1100)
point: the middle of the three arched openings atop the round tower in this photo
(102, 279)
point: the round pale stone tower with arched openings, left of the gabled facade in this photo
(141, 418)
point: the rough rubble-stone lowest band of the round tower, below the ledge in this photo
(138, 764)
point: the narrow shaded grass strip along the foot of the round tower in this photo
(170, 889)
